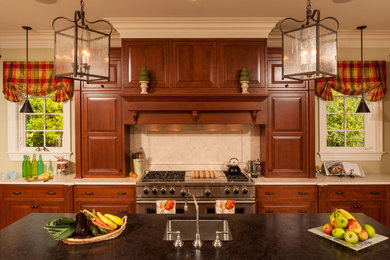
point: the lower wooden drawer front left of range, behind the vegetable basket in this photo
(112, 207)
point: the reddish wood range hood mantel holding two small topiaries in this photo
(194, 109)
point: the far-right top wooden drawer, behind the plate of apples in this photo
(357, 192)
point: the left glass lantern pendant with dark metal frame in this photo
(81, 52)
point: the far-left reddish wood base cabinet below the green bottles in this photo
(21, 200)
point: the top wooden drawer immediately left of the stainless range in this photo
(117, 192)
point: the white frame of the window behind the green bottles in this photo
(16, 138)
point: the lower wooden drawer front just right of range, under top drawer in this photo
(290, 207)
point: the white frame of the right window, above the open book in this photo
(373, 137)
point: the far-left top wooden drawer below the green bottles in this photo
(24, 191)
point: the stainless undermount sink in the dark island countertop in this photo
(207, 229)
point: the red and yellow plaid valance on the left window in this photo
(41, 81)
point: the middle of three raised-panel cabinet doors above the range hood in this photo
(194, 64)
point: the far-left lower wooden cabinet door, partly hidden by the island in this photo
(15, 210)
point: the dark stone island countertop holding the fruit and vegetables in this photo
(282, 236)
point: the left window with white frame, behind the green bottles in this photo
(46, 132)
